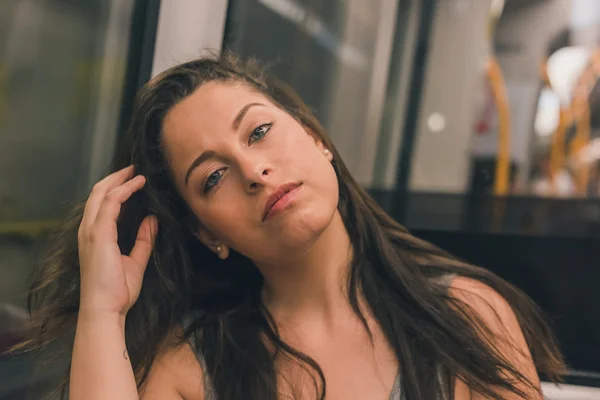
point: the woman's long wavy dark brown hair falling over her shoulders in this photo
(219, 301)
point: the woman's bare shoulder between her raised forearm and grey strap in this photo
(175, 373)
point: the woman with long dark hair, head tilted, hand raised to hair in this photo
(267, 271)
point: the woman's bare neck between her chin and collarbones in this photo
(312, 285)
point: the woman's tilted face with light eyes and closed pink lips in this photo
(230, 149)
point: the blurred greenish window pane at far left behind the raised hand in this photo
(61, 73)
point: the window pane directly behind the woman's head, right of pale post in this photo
(335, 53)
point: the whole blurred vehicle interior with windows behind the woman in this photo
(476, 123)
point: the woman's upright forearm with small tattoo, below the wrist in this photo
(100, 368)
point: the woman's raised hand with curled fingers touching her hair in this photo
(111, 281)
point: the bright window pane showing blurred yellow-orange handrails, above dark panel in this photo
(526, 120)
